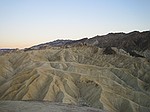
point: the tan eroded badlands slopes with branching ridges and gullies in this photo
(80, 75)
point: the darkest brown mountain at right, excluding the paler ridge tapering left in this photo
(131, 41)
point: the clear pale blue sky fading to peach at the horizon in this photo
(24, 23)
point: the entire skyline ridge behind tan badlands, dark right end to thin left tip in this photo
(135, 40)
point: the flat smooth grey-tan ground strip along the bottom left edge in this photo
(40, 106)
